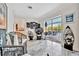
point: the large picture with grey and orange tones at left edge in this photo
(3, 16)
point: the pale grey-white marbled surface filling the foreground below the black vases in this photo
(42, 47)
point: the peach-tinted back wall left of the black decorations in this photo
(21, 25)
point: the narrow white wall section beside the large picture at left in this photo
(10, 22)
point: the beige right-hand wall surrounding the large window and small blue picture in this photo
(63, 10)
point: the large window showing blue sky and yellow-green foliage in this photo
(53, 26)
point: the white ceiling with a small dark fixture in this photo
(38, 9)
